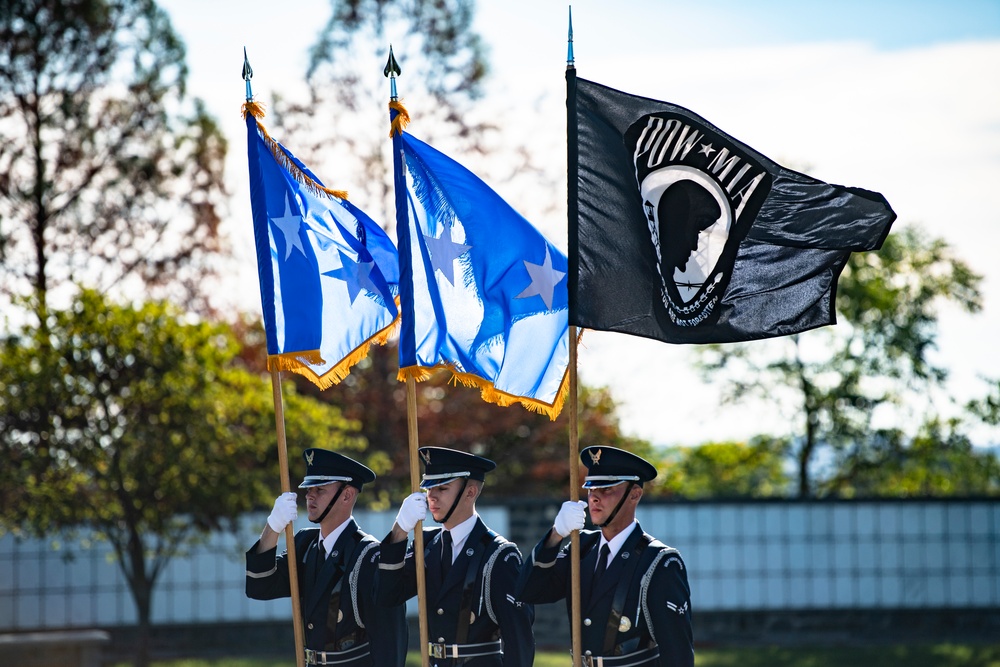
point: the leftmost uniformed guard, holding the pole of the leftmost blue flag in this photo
(337, 567)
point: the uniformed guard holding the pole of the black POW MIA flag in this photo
(635, 598)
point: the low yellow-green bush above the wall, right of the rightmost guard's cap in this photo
(754, 469)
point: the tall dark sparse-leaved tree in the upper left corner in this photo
(109, 177)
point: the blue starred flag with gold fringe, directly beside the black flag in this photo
(483, 293)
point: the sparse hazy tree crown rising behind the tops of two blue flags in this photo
(342, 128)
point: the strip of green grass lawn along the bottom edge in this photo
(930, 655)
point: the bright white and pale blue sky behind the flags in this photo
(898, 97)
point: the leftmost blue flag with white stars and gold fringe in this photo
(327, 271)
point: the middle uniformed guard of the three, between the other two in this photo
(473, 617)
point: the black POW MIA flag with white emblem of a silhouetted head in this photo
(680, 233)
